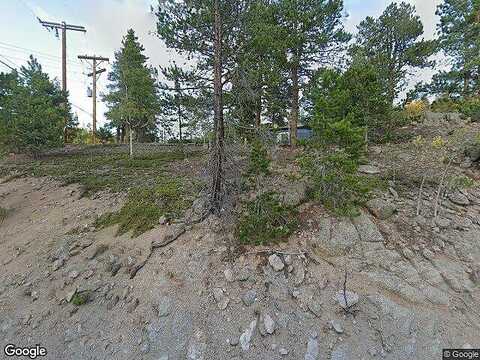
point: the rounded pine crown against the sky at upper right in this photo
(392, 44)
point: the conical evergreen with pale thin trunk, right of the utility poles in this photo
(132, 99)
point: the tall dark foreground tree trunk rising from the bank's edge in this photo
(218, 151)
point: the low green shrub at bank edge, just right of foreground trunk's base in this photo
(266, 220)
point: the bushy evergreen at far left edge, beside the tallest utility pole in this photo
(32, 110)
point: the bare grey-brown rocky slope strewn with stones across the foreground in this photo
(389, 284)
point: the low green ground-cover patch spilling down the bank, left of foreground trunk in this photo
(145, 206)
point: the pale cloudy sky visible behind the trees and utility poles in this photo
(106, 22)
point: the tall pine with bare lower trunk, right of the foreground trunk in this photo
(312, 34)
